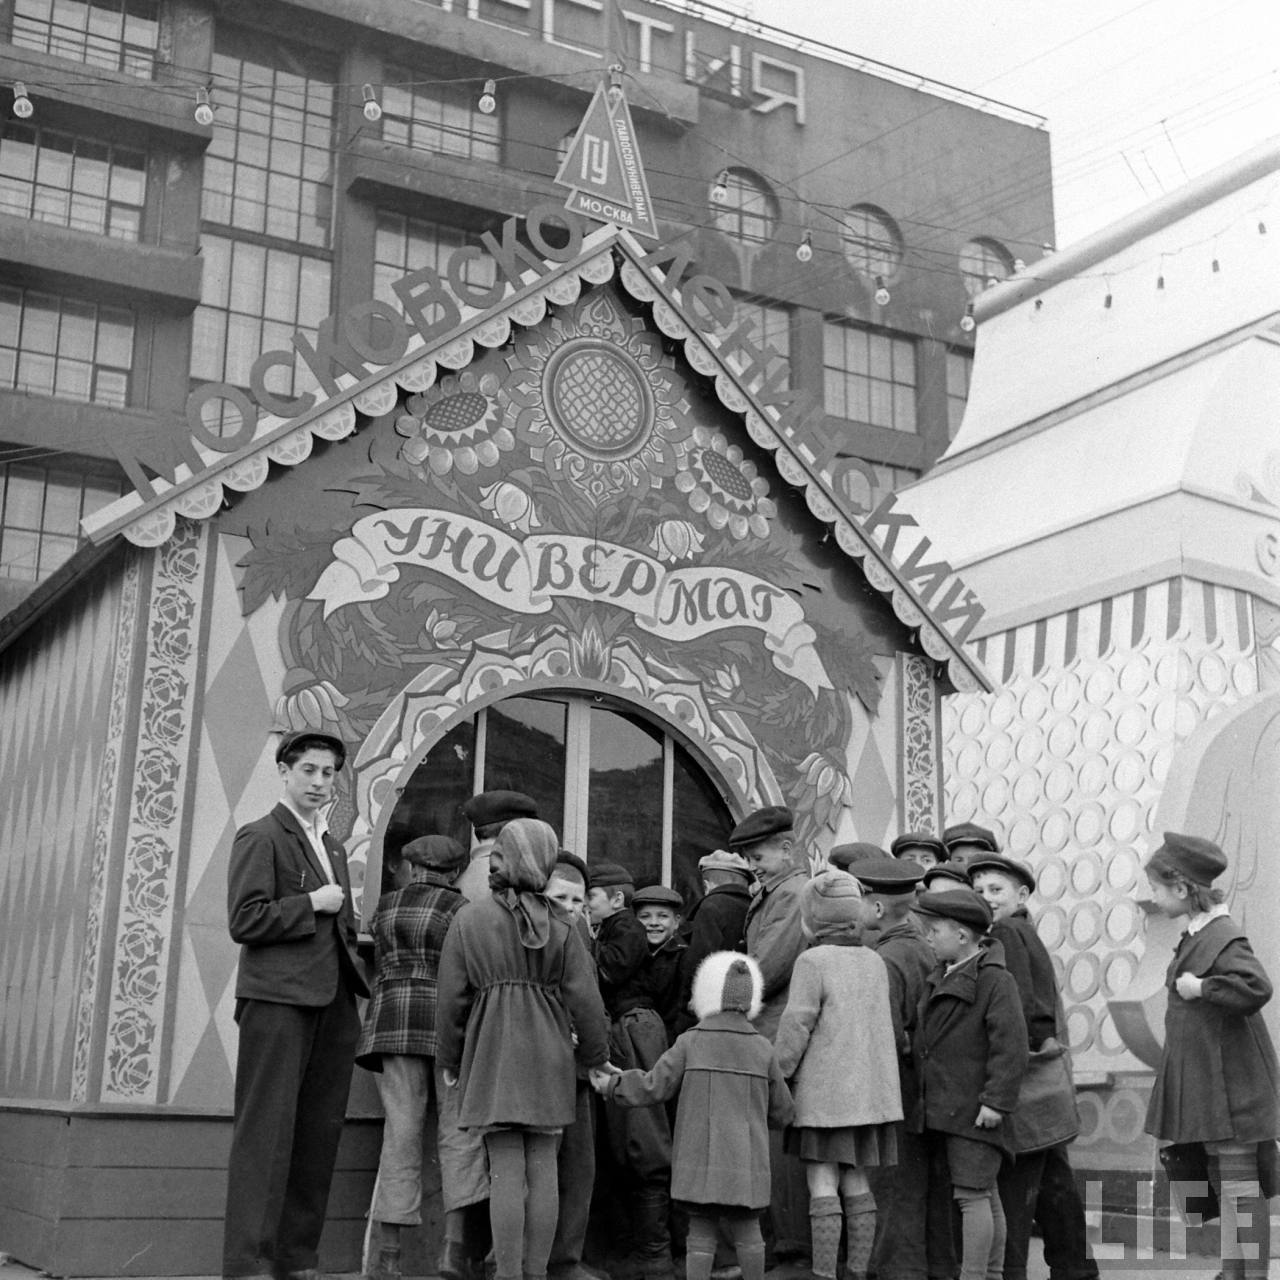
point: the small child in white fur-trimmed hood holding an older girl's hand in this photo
(730, 1092)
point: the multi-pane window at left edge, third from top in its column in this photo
(65, 348)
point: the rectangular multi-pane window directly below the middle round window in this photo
(870, 377)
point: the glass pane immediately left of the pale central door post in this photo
(524, 751)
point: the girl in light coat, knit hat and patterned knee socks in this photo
(839, 1045)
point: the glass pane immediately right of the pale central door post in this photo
(625, 794)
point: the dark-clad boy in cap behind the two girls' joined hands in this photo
(639, 1140)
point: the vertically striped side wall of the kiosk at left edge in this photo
(56, 684)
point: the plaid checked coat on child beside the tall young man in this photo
(409, 931)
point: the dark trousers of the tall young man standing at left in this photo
(292, 1078)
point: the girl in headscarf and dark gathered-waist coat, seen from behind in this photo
(514, 976)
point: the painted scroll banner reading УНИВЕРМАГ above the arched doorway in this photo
(674, 604)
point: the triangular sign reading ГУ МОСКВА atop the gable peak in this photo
(604, 170)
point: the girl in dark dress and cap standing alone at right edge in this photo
(1218, 1080)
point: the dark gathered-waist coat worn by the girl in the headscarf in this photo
(504, 1020)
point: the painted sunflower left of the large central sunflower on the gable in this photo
(455, 426)
